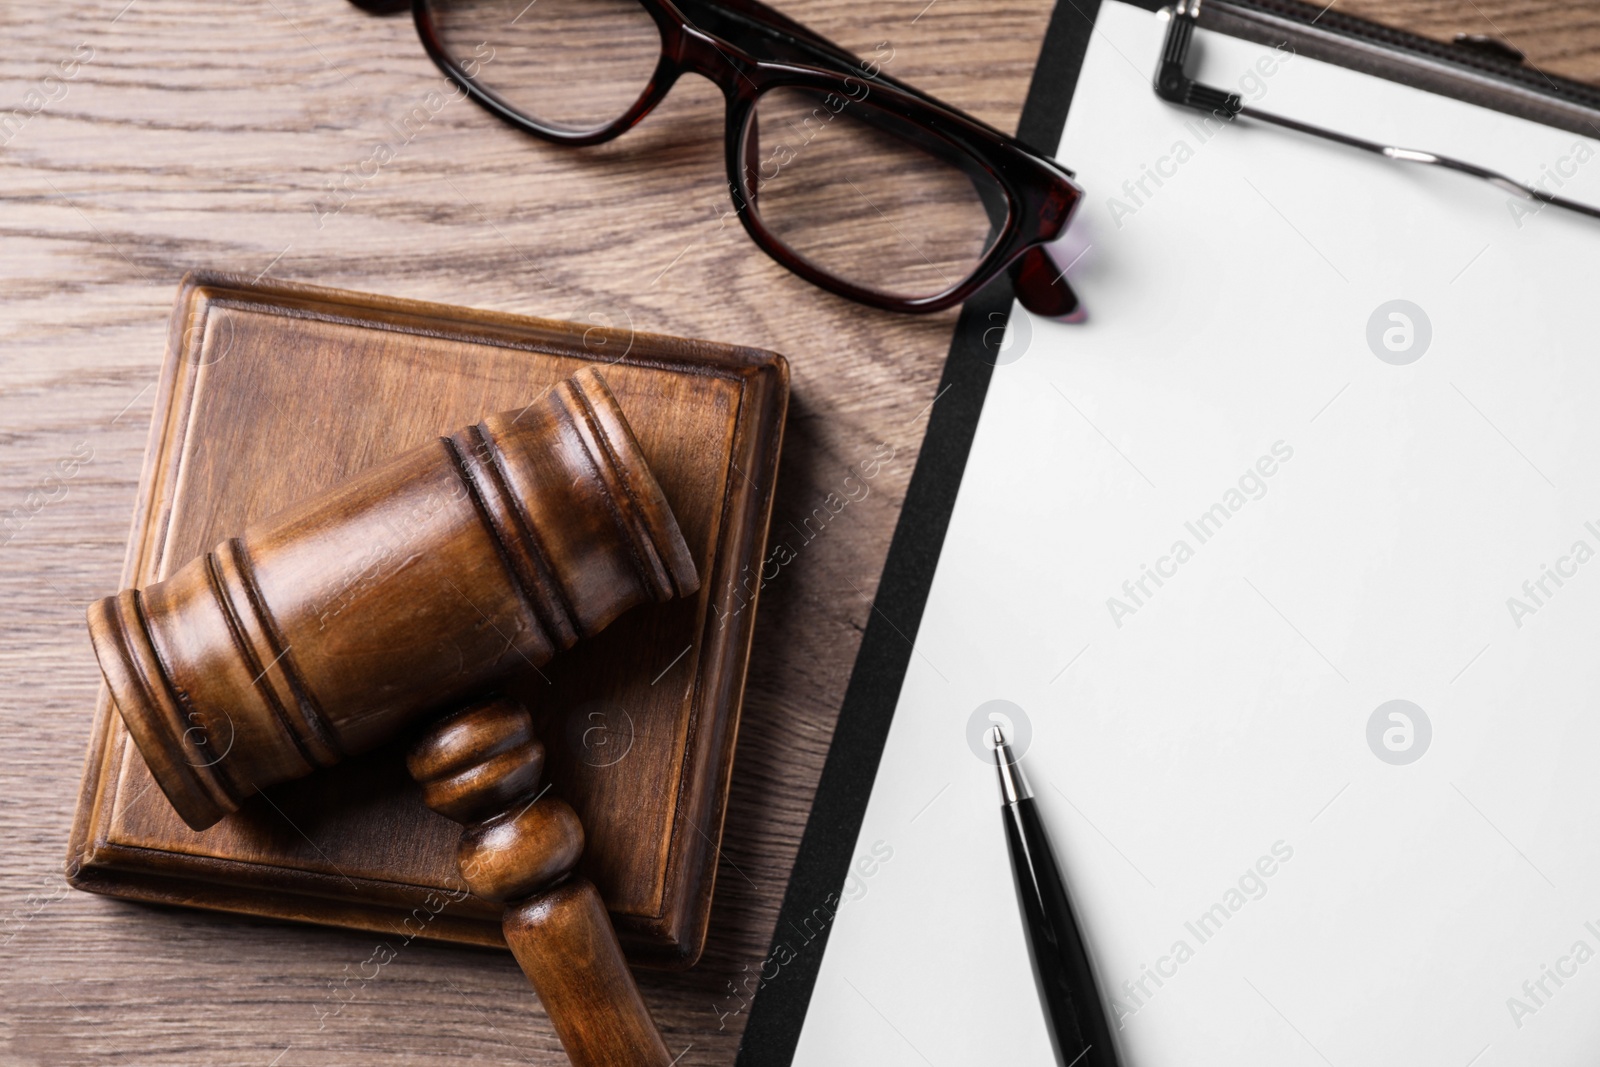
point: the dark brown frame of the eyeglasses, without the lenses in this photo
(746, 50)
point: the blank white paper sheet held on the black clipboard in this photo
(1218, 729)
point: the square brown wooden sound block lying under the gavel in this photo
(273, 393)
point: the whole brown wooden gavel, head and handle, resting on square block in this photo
(404, 594)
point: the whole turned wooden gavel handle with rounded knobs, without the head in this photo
(481, 767)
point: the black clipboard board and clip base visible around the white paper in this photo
(1466, 73)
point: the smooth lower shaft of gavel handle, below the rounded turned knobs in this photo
(567, 948)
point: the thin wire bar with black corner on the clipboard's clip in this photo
(1175, 87)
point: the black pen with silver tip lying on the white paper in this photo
(1062, 965)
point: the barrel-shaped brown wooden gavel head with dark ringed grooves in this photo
(329, 628)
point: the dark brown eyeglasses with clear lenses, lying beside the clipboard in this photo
(844, 175)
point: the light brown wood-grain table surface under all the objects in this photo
(210, 135)
